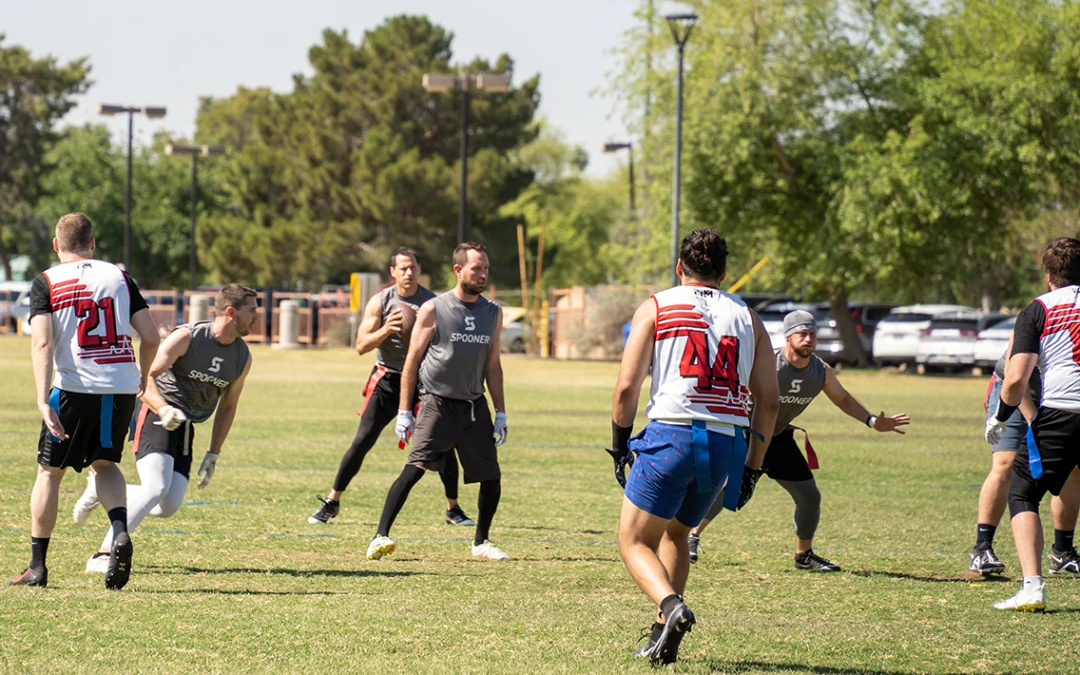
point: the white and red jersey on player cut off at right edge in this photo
(1060, 349)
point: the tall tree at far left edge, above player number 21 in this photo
(35, 94)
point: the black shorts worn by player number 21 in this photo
(96, 424)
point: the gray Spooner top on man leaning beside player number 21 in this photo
(198, 380)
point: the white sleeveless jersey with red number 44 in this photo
(703, 359)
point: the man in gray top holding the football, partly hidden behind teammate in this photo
(383, 330)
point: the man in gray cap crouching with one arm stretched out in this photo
(803, 375)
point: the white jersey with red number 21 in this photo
(91, 314)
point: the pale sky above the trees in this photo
(169, 53)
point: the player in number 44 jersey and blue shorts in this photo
(707, 352)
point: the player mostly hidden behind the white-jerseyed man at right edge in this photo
(992, 497)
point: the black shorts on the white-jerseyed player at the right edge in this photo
(1058, 438)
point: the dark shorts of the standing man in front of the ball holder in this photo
(443, 425)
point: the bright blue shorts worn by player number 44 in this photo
(664, 480)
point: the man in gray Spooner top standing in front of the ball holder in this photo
(453, 353)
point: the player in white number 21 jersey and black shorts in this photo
(83, 313)
